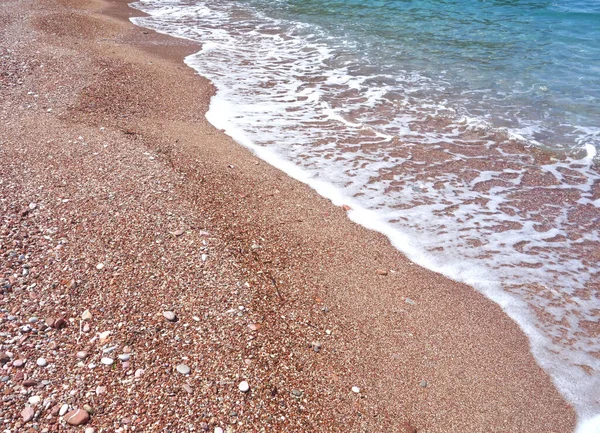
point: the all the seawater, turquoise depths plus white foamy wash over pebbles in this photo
(465, 131)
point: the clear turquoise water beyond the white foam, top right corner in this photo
(532, 66)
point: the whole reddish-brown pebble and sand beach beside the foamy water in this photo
(121, 203)
